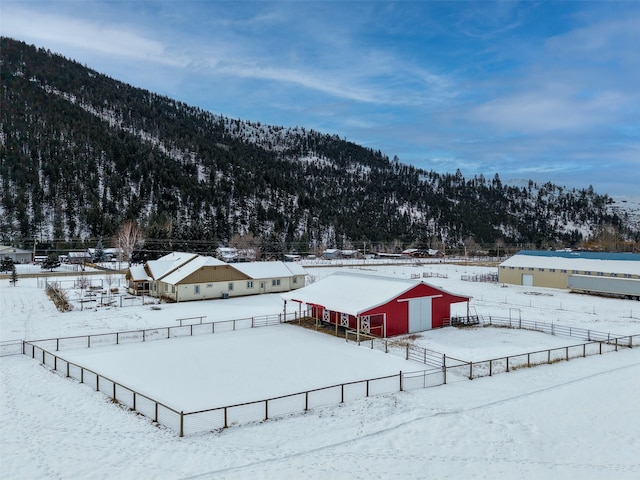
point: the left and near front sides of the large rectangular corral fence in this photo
(189, 423)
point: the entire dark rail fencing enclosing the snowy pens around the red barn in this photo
(187, 423)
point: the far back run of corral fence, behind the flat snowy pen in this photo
(185, 329)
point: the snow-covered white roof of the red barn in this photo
(353, 293)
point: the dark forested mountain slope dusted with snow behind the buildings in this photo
(80, 153)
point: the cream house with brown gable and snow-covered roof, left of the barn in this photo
(183, 277)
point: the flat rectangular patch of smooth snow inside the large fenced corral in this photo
(210, 371)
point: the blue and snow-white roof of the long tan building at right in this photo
(625, 264)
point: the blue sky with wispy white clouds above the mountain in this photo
(548, 91)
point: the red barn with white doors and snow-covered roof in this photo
(380, 306)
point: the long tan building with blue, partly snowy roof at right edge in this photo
(555, 269)
